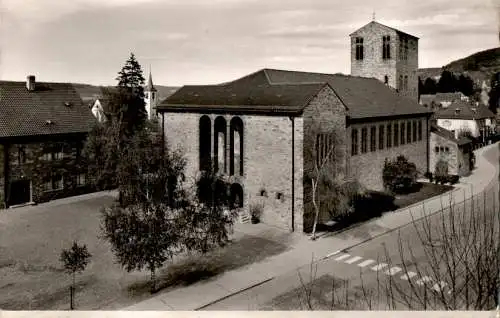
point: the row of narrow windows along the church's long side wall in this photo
(390, 135)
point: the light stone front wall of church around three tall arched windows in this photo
(267, 163)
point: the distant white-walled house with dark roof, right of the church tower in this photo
(463, 116)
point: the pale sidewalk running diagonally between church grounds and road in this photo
(204, 293)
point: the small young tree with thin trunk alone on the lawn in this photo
(75, 260)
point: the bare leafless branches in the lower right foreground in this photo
(451, 263)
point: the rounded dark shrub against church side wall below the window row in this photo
(400, 175)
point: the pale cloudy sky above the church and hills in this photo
(212, 41)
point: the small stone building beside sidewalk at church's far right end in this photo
(456, 152)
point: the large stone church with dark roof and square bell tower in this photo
(258, 131)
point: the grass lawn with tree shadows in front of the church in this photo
(31, 240)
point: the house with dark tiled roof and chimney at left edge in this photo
(42, 130)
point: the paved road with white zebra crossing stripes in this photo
(397, 263)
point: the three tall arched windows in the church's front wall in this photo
(219, 162)
